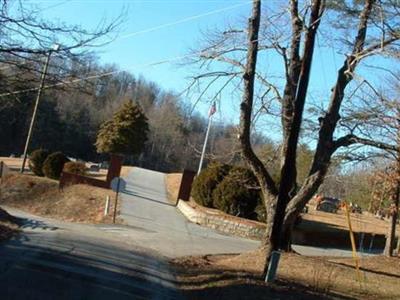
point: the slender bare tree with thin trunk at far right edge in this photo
(374, 121)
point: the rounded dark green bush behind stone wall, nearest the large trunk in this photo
(238, 194)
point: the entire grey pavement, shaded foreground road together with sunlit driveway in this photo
(57, 260)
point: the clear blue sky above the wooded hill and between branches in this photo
(157, 30)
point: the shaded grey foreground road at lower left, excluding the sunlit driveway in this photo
(56, 260)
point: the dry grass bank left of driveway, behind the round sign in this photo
(41, 196)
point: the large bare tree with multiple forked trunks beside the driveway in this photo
(285, 200)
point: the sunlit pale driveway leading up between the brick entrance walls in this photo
(156, 223)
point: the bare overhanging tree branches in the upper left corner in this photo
(26, 38)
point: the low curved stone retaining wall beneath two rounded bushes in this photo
(220, 221)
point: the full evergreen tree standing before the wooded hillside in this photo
(125, 133)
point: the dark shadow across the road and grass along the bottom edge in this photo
(35, 267)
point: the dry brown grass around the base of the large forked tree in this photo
(326, 277)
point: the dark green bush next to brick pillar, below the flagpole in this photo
(205, 183)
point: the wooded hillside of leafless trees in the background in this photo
(69, 116)
